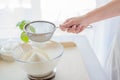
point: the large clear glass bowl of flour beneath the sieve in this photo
(39, 60)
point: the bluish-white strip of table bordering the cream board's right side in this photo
(94, 68)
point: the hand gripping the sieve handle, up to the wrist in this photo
(74, 25)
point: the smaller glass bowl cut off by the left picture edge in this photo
(6, 48)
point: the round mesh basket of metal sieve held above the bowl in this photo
(40, 31)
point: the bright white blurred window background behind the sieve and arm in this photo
(56, 11)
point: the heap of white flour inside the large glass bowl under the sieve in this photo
(38, 61)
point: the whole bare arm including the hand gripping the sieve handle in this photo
(78, 24)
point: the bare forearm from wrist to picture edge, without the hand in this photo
(110, 10)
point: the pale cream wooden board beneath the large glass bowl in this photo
(70, 67)
